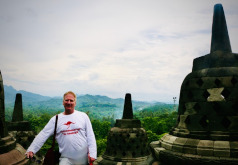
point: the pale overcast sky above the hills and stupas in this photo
(106, 47)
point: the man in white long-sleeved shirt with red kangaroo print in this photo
(74, 135)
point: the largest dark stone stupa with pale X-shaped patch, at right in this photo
(207, 129)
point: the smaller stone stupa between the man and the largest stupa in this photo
(127, 141)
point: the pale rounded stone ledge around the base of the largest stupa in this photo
(217, 148)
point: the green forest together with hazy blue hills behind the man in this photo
(156, 118)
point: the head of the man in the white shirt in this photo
(69, 102)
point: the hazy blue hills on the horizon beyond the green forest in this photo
(97, 105)
